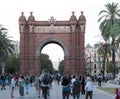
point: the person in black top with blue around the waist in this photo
(65, 87)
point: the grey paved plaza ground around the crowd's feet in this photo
(56, 93)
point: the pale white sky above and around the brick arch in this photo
(10, 10)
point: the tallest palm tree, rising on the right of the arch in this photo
(111, 17)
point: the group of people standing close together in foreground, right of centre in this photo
(75, 85)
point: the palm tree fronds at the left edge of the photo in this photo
(6, 48)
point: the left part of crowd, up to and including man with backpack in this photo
(25, 82)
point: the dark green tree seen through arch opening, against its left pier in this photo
(46, 63)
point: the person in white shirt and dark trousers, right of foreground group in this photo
(89, 88)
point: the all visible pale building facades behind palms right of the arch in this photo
(94, 62)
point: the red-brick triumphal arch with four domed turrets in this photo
(69, 34)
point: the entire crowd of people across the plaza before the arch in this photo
(71, 84)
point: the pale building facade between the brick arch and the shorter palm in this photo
(93, 61)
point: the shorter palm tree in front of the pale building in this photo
(103, 50)
